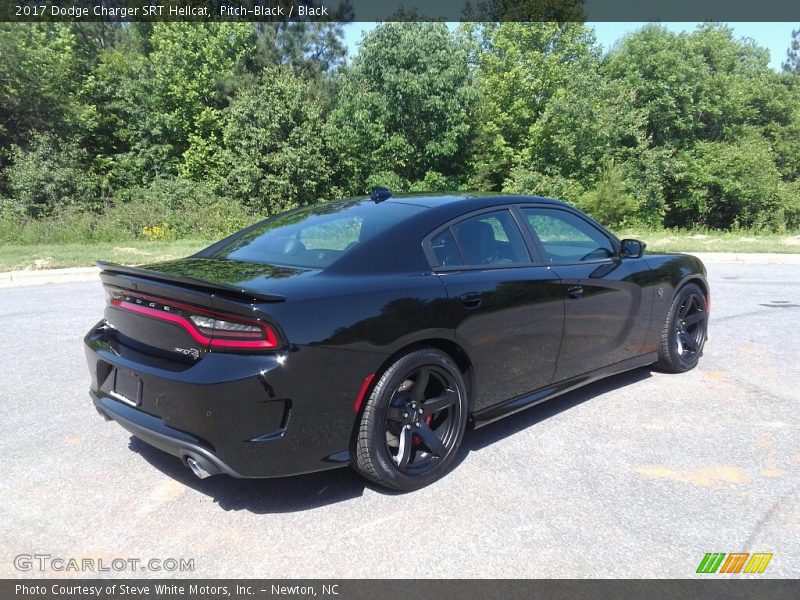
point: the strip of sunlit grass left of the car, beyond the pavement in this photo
(16, 257)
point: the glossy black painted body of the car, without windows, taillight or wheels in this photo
(521, 334)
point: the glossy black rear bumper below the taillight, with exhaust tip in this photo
(256, 415)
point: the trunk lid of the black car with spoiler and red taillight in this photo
(185, 308)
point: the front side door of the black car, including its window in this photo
(605, 311)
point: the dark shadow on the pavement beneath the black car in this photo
(314, 490)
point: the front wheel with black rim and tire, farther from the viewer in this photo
(685, 330)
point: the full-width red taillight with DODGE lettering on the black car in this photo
(216, 330)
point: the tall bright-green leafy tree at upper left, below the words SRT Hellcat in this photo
(154, 102)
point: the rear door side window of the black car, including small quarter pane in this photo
(491, 238)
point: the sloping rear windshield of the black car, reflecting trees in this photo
(316, 236)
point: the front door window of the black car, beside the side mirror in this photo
(565, 237)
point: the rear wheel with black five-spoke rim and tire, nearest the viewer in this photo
(413, 422)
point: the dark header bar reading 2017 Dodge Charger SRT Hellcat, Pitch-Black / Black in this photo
(400, 10)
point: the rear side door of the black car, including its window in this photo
(507, 312)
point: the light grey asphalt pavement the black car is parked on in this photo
(639, 475)
